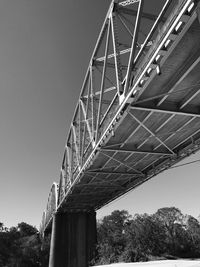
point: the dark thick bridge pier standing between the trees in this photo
(73, 239)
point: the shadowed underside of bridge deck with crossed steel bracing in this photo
(158, 130)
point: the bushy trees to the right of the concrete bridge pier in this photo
(165, 234)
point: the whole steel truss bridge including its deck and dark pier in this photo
(137, 115)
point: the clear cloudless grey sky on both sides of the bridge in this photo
(45, 47)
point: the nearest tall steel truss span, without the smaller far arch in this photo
(107, 84)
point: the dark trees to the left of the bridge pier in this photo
(21, 246)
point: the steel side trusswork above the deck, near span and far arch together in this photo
(122, 54)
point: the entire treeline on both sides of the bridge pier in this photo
(121, 238)
